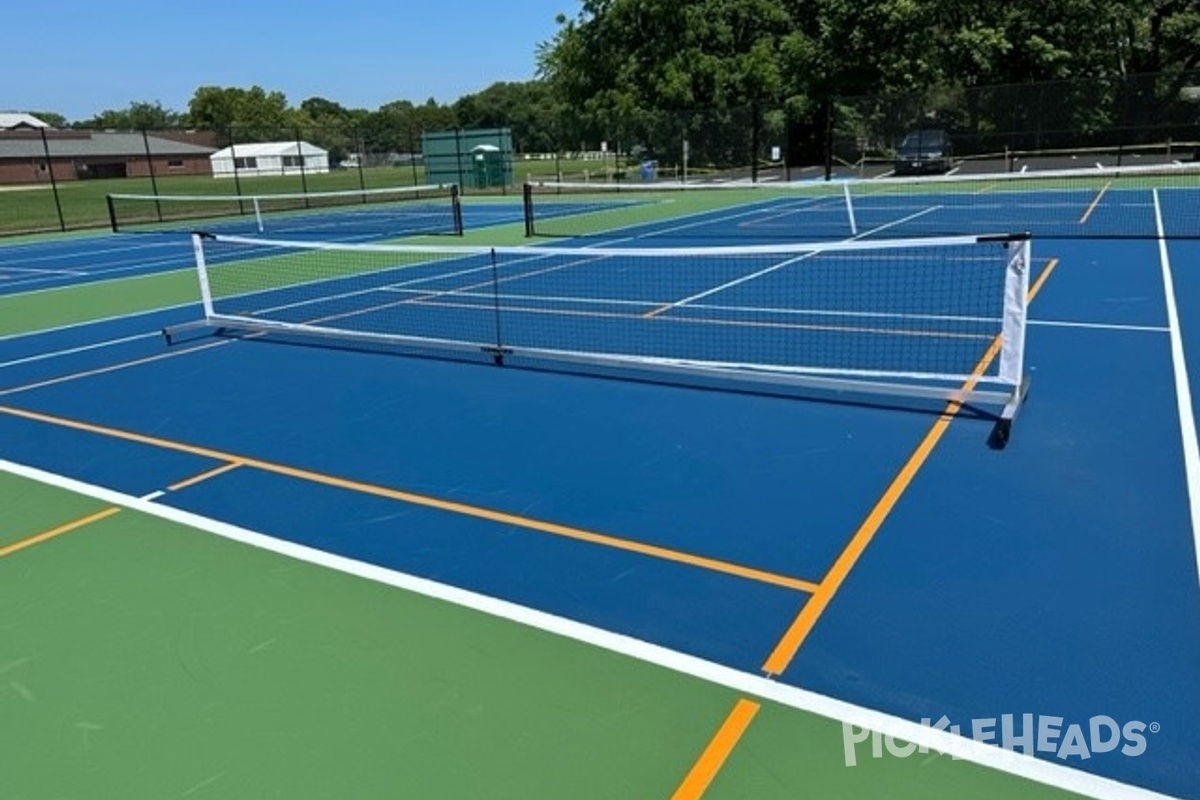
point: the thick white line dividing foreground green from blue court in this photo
(989, 756)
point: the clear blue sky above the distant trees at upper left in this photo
(83, 57)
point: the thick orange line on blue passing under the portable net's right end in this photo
(790, 643)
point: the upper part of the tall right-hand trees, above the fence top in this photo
(652, 55)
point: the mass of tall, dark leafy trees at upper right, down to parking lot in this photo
(621, 64)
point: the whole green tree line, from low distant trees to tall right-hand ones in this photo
(656, 73)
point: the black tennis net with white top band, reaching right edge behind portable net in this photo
(1096, 203)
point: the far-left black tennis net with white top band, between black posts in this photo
(376, 213)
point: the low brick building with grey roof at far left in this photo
(79, 155)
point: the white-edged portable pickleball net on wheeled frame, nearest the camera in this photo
(926, 318)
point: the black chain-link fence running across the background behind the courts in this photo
(57, 181)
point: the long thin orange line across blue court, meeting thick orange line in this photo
(463, 509)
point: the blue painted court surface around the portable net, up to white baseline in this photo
(878, 554)
